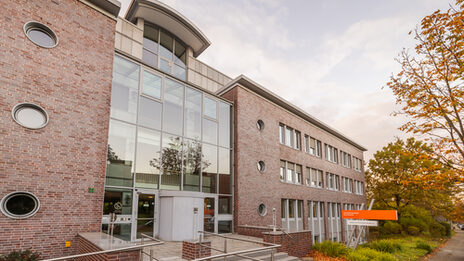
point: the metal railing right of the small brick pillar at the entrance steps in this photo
(225, 254)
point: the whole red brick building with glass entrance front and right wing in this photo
(103, 114)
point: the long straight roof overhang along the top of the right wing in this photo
(245, 82)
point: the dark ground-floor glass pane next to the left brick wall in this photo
(118, 201)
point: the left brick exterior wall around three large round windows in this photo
(58, 163)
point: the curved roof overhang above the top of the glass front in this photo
(166, 17)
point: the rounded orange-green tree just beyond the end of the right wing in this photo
(407, 173)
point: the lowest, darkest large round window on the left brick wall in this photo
(19, 205)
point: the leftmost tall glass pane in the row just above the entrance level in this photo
(120, 157)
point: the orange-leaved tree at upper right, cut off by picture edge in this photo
(430, 83)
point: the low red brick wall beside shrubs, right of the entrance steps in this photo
(297, 244)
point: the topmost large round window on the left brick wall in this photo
(40, 34)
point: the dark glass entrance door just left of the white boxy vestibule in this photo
(146, 220)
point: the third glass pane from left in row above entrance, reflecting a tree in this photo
(171, 162)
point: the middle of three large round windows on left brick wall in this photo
(30, 115)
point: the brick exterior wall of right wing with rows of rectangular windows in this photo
(252, 145)
